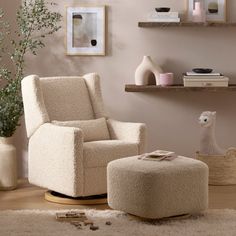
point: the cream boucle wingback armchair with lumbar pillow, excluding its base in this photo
(71, 140)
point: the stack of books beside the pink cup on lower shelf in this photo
(192, 79)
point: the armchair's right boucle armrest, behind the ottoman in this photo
(131, 132)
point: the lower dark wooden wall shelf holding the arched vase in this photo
(177, 87)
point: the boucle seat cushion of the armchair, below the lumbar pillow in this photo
(100, 153)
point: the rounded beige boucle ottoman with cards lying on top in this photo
(157, 189)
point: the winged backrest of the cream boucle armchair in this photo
(61, 98)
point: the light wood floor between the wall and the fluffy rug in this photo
(27, 196)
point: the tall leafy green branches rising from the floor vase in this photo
(35, 22)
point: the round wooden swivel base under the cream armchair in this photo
(55, 197)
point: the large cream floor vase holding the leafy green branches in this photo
(8, 164)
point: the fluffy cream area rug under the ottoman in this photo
(34, 223)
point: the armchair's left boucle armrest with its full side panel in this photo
(56, 159)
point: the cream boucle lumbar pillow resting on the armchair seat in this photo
(93, 130)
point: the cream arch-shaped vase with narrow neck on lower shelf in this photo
(145, 69)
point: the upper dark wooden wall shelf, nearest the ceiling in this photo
(148, 24)
